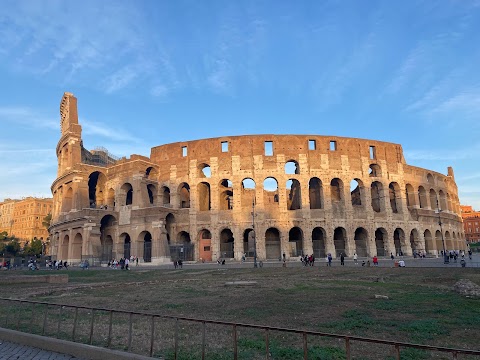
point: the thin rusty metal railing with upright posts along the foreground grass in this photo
(304, 334)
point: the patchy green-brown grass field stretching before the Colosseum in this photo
(421, 306)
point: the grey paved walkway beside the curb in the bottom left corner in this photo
(10, 351)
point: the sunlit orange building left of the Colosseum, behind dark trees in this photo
(24, 218)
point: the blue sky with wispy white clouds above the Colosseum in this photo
(152, 72)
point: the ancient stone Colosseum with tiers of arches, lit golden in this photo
(226, 197)
